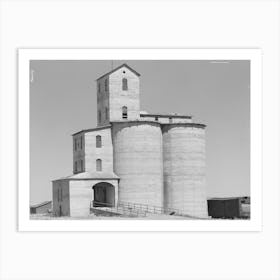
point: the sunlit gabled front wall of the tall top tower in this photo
(119, 98)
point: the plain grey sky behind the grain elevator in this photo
(63, 101)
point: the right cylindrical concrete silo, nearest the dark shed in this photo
(184, 168)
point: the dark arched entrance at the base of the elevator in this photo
(104, 195)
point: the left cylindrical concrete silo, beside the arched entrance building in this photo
(138, 161)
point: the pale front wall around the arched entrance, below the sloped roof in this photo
(81, 195)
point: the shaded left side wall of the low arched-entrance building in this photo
(60, 192)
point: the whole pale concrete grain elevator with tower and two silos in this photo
(136, 149)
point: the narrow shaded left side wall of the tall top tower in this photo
(103, 101)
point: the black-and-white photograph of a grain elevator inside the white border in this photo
(140, 139)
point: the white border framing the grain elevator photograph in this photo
(255, 57)
